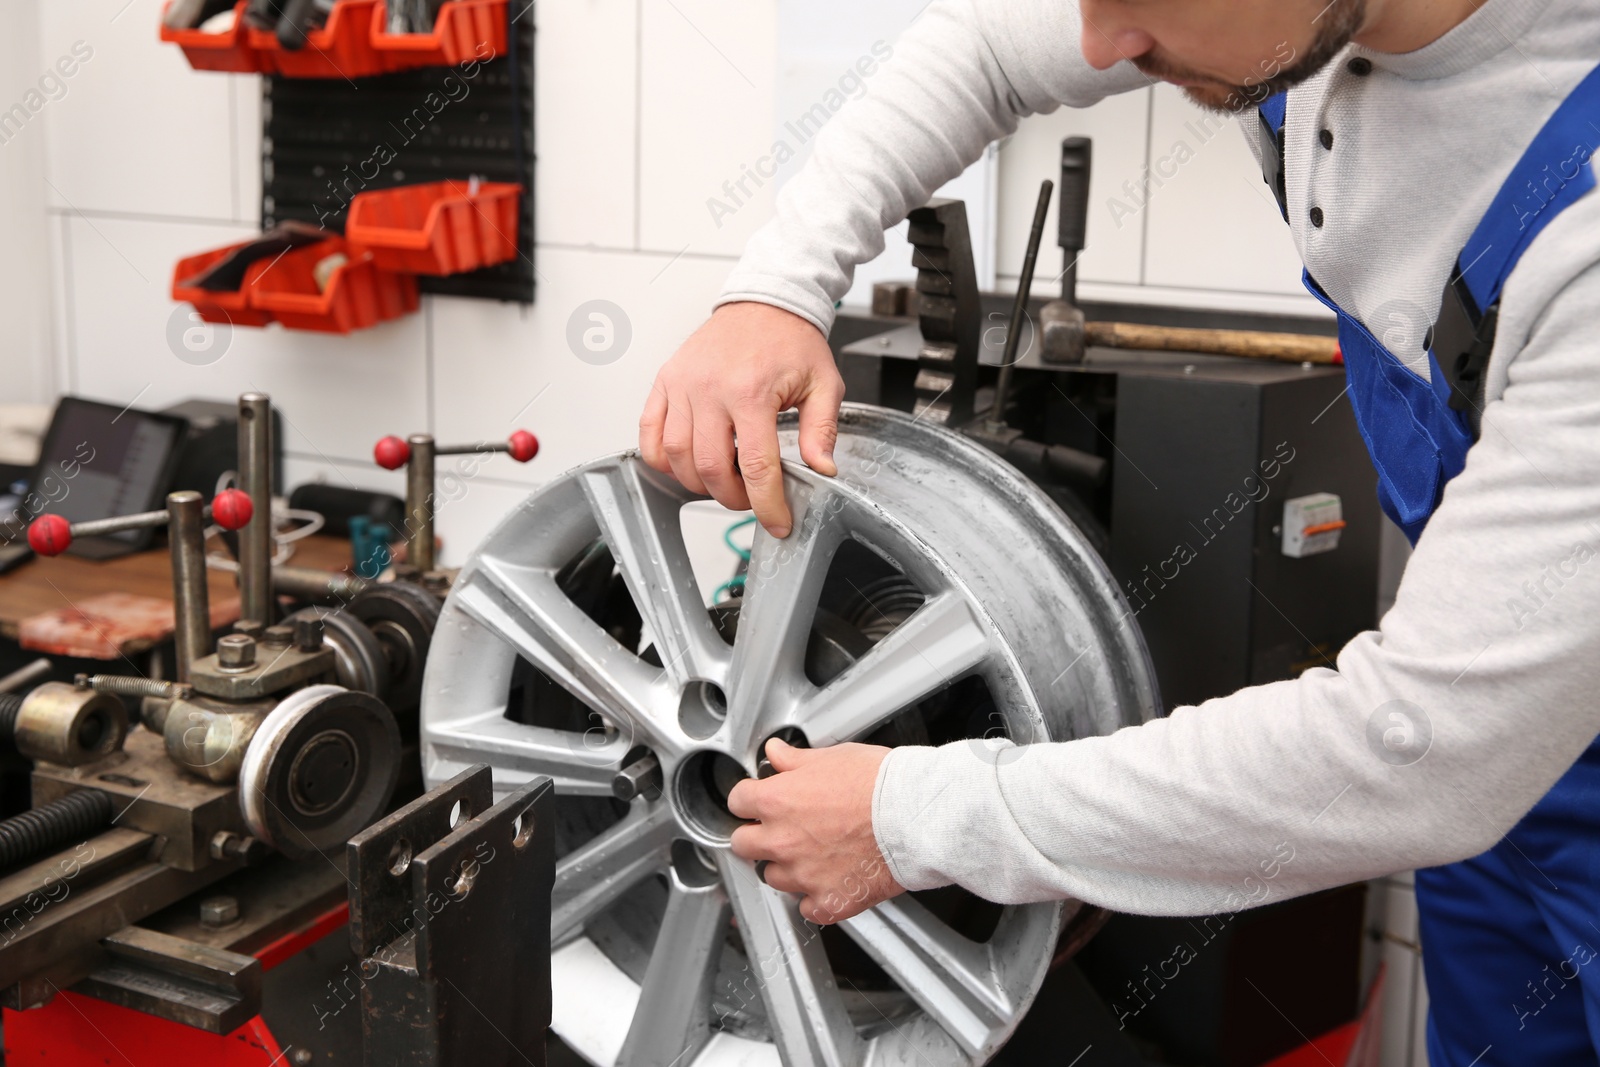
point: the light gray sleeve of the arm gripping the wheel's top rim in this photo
(959, 79)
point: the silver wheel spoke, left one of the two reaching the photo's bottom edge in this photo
(673, 1021)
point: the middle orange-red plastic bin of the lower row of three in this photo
(359, 294)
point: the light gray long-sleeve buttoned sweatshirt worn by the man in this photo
(1494, 644)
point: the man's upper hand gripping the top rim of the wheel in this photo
(730, 380)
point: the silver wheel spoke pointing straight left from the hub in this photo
(578, 764)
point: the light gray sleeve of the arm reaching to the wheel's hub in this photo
(1426, 746)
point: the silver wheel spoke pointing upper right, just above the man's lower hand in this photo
(937, 645)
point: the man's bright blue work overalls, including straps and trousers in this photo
(1511, 940)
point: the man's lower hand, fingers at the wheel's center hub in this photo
(815, 829)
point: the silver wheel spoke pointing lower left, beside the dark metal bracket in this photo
(590, 879)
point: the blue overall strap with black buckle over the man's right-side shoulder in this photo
(1551, 177)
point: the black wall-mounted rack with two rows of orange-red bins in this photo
(374, 137)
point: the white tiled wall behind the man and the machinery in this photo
(644, 110)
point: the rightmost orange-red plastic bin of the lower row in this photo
(438, 228)
